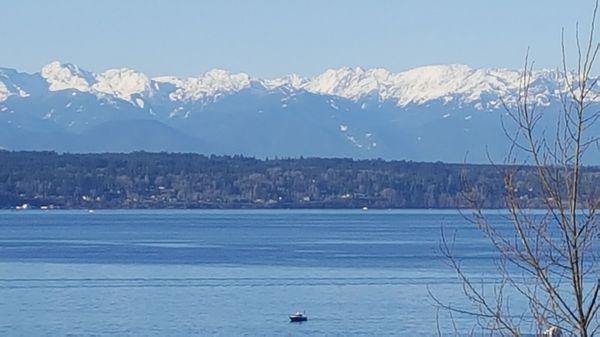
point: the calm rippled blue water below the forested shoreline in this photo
(229, 273)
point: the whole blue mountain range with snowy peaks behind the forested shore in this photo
(447, 113)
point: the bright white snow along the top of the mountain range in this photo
(458, 83)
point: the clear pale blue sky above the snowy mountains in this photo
(272, 38)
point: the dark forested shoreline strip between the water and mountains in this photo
(169, 180)
